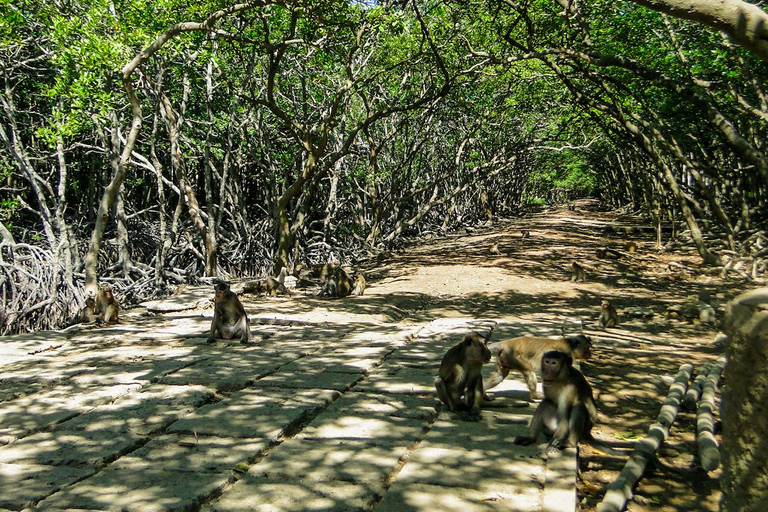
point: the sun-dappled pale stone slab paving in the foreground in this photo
(329, 411)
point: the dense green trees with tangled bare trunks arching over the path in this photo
(154, 143)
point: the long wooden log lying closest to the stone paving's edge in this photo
(620, 490)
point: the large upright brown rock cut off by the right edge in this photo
(745, 404)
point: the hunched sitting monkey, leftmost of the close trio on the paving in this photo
(460, 376)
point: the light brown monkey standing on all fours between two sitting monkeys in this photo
(524, 355)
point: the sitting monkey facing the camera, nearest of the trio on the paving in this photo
(568, 409)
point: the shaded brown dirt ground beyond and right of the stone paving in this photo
(632, 364)
